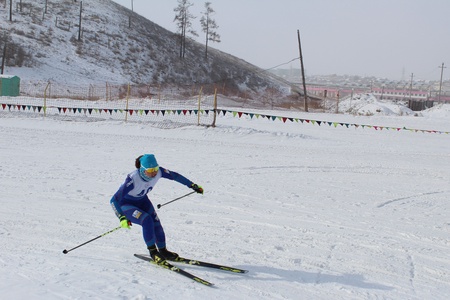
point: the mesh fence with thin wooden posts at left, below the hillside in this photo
(162, 108)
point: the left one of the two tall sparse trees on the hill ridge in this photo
(183, 18)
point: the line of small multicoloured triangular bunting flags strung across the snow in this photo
(219, 112)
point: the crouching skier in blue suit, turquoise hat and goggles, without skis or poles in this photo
(132, 205)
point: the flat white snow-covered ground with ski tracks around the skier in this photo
(313, 212)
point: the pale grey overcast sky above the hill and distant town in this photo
(384, 38)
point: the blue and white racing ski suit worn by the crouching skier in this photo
(131, 200)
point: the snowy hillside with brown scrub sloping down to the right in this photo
(115, 45)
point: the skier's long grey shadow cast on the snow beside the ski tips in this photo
(274, 274)
